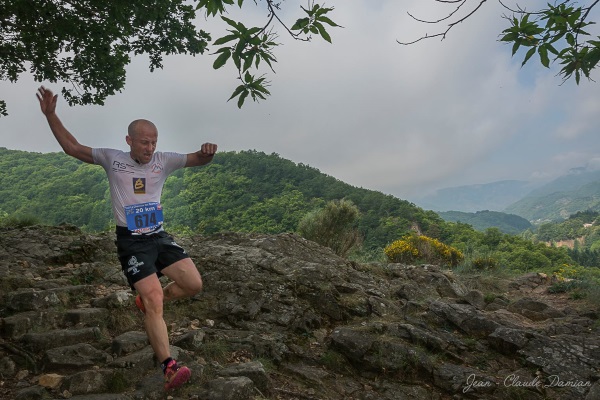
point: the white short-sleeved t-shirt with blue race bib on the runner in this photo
(135, 188)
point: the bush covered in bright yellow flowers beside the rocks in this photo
(414, 247)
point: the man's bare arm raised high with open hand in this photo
(69, 144)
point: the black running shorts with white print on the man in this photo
(144, 255)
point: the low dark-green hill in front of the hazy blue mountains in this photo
(482, 220)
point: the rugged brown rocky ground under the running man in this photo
(283, 318)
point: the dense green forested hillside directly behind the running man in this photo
(247, 191)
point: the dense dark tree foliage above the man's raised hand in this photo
(88, 43)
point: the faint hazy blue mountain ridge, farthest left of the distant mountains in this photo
(495, 196)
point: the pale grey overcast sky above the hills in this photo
(403, 120)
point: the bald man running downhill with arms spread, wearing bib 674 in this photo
(145, 250)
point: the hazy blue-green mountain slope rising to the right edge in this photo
(557, 200)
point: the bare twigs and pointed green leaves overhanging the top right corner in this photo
(557, 33)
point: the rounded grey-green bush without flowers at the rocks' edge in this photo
(333, 226)
